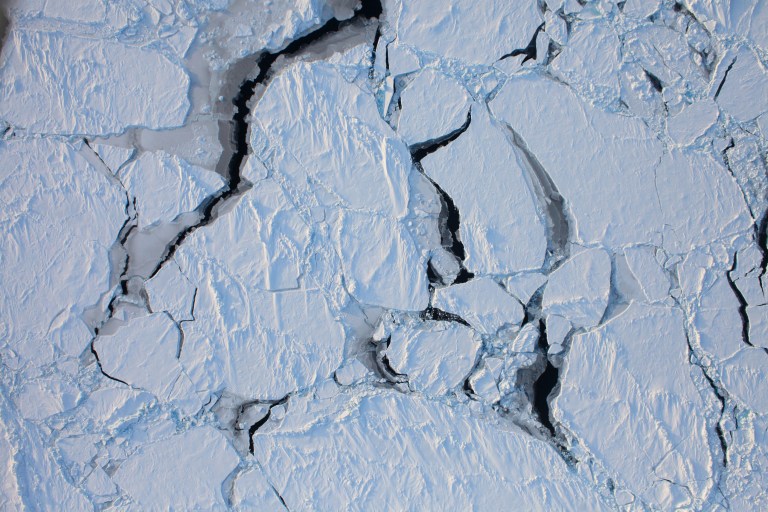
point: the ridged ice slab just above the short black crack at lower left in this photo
(256, 343)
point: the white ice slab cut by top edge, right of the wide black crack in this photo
(450, 30)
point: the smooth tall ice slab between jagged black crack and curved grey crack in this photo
(500, 227)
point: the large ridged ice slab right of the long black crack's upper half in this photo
(324, 136)
